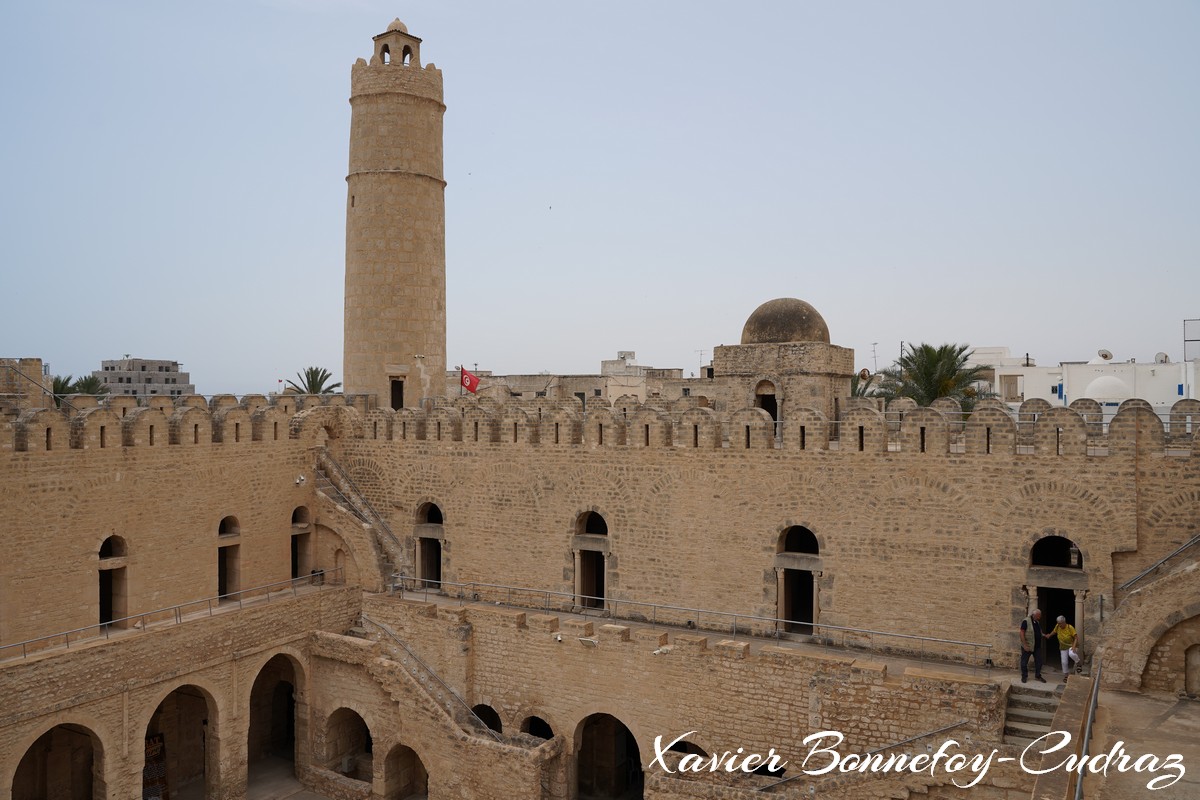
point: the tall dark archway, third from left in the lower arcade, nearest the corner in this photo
(272, 739)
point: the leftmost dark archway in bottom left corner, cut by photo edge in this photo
(67, 763)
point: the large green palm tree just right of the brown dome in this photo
(926, 372)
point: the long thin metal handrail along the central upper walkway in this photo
(399, 581)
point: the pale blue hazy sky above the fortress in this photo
(622, 176)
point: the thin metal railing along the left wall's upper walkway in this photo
(172, 615)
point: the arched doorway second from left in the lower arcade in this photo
(182, 747)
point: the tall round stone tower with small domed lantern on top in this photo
(395, 227)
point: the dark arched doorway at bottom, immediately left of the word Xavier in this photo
(609, 766)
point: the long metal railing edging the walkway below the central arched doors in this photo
(735, 624)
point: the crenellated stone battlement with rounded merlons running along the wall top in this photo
(91, 423)
